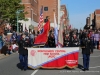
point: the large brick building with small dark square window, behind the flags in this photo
(33, 8)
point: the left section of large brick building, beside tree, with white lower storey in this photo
(31, 7)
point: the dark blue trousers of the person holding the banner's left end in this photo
(23, 60)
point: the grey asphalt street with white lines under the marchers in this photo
(10, 66)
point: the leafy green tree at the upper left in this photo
(8, 10)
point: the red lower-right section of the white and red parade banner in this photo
(70, 60)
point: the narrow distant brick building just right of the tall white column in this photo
(65, 15)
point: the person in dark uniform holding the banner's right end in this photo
(87, 49)
